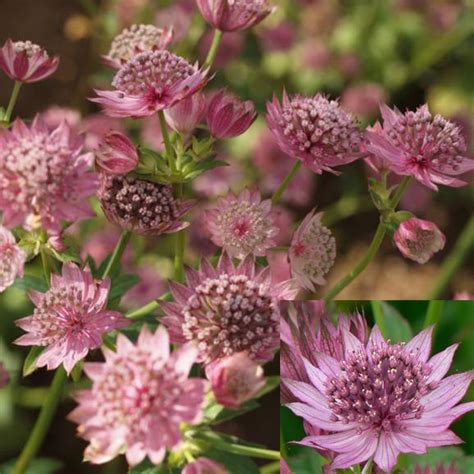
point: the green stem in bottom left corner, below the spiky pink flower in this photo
(42, 423)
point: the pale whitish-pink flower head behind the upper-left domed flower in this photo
(134, 40)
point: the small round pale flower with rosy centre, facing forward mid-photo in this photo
(242, 224)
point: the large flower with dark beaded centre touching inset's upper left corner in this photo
(227, 310)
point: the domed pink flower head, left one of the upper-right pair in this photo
(314, 130)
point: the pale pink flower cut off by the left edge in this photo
(12, 259)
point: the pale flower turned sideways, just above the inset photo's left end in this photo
(312, 252)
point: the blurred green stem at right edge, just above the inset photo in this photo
(455, 259)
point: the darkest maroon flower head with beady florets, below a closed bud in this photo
(141, 206)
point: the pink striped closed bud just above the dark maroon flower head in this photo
(117, 154)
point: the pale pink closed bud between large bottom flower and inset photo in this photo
(235, 379)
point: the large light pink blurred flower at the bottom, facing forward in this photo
(139, 397)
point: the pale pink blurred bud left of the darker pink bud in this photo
(186, 115)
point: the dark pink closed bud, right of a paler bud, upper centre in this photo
(227, 116)
